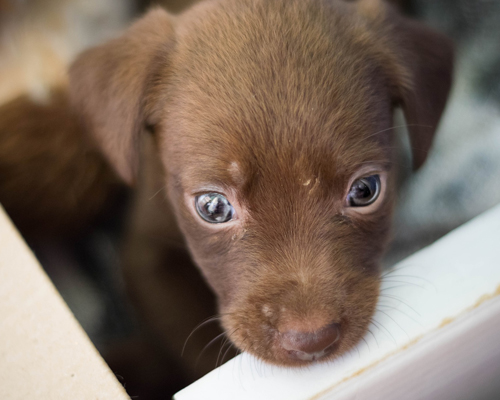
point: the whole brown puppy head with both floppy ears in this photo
(273, 121)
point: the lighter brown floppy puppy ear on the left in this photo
(109, 86)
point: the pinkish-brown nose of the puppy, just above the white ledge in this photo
(310, 346)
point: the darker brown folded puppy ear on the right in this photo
(420, 62)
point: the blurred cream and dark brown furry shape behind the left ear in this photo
(52, 181)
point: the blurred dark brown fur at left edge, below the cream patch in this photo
(53, 181)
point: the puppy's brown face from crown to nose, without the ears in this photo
(279, 169)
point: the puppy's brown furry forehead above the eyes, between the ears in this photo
(275, 83)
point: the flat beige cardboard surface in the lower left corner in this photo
(44, 353)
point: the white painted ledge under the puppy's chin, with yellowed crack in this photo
(436, 335)
